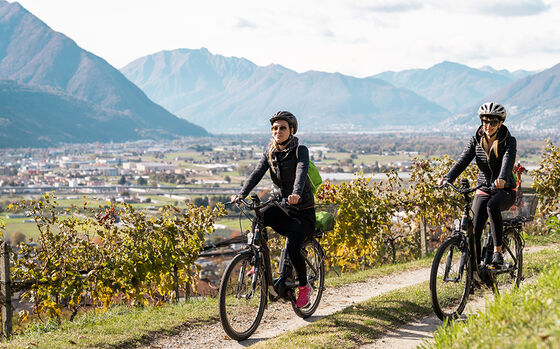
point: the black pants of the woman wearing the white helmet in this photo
(491, 206)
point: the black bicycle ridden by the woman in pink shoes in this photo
(247, 284)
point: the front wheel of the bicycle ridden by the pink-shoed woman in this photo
(242, 297)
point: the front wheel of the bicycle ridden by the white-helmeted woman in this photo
(450, 279)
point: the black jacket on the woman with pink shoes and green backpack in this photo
(289, 174)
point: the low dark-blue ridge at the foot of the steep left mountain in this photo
(34, 116)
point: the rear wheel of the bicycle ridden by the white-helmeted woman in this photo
(511, 273)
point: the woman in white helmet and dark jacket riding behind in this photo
(494, 149)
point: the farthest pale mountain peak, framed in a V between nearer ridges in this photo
(451, 85)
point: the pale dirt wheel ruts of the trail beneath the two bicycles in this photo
(279, 317)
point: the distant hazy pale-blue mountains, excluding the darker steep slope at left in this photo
(230, 94)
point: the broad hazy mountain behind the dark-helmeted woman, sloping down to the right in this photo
(229, 94)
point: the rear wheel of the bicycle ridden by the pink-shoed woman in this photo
(315, 277)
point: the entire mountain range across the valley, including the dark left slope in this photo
(52, 91)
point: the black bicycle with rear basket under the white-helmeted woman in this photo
(455, 264)
